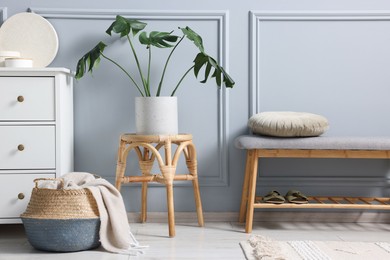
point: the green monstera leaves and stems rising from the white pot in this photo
(130, 28)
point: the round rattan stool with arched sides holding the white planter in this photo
(151, 145)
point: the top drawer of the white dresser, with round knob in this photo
(27, 98)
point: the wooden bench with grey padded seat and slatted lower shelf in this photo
(309, 147)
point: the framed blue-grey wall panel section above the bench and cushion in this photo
(307, 61)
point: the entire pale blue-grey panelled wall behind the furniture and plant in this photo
(336, 67)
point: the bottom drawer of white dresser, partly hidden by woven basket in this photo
(11, 185)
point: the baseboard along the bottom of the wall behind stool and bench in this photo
(272, 216)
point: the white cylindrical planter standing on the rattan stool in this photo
(156, 115)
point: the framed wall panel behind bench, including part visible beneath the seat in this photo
(332, 63)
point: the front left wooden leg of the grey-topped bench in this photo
(252, 190)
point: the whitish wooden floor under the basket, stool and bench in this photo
(217, 240)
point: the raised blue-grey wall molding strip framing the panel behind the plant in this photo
(221, 17)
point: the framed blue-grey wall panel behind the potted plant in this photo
(212, 150)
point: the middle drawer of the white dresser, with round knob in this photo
(27, 147)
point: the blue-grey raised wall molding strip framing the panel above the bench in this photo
(258, 18)
